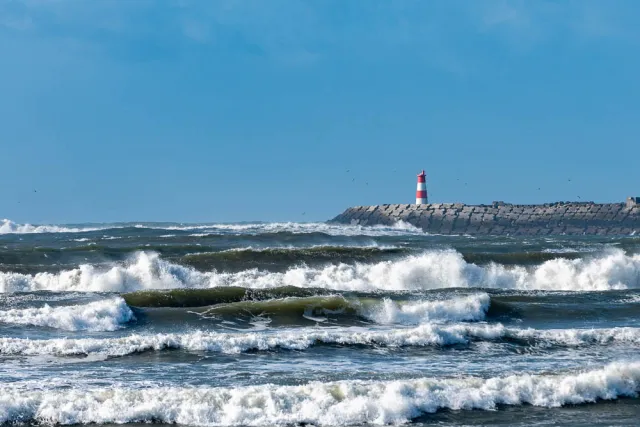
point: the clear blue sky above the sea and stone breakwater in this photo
(230, 110)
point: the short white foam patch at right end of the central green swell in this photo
(472, 307)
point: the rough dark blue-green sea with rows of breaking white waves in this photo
(315, 324)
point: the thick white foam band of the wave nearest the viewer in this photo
(317, 403)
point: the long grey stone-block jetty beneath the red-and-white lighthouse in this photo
(501, 219)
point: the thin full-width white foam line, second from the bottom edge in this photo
(303, 338)
